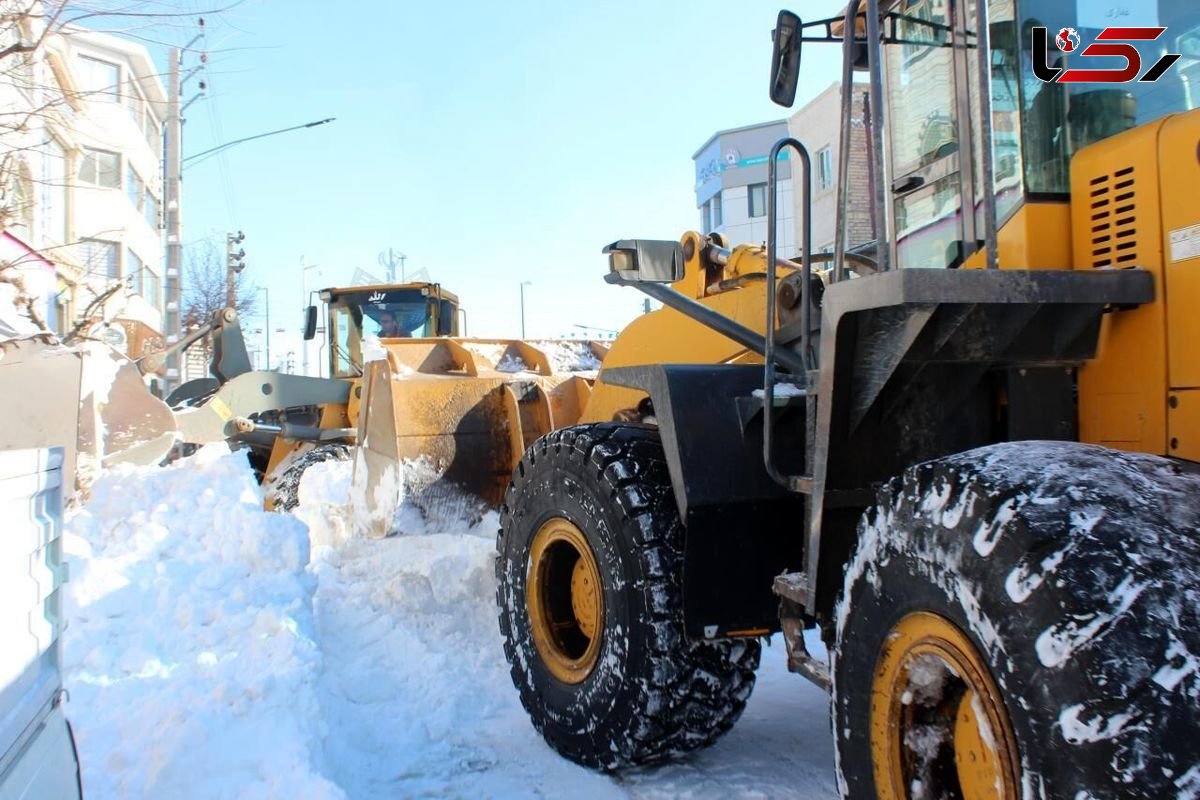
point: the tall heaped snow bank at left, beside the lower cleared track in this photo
(190, 654)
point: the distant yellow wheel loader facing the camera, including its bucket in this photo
(404, 387)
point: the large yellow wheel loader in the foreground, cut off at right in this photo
(967, 458)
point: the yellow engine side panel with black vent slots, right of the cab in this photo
(1117, 221)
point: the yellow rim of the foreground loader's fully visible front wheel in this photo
(566, 601)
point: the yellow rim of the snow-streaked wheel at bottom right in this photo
(939, 725)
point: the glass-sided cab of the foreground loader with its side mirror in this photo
(931, 140)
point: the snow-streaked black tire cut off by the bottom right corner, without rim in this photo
(1075, 572)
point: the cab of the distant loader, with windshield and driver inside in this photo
(385, 312)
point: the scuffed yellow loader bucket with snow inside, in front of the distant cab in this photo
(465, 410)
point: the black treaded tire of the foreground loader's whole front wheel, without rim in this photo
(653, 694)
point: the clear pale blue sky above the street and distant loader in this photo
(491, 143)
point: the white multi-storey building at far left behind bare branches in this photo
(82, 167)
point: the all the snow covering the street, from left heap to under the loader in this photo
(208, 655)
